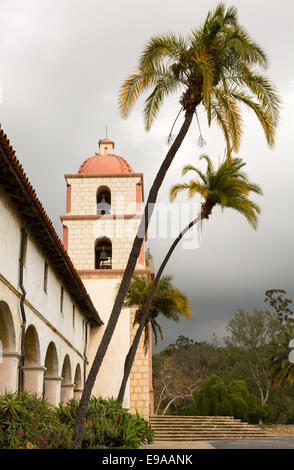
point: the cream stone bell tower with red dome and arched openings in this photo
(103, 212)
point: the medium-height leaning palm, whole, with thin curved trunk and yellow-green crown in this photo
(226, 186)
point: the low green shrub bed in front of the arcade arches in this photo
(29, 422)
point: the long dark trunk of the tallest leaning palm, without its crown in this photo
(134, 254)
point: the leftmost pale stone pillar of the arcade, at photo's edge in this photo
(9, 372)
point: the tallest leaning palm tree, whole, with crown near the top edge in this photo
(216, 67)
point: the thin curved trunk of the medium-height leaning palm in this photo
(133, 349)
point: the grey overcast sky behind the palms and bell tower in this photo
(61, 65)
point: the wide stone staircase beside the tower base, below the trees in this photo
(203, 428)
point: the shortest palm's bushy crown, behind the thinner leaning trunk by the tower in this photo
(167, 301)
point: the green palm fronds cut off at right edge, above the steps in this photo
(281, 369)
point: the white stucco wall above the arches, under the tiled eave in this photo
(42, 310)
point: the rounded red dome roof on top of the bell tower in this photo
(105, 165)
